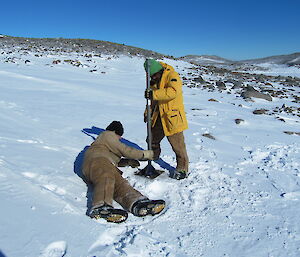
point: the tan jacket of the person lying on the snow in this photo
(108, 145)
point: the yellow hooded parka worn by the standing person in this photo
(168, 95)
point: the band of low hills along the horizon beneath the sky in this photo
(105, 47)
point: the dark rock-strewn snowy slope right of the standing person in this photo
(249, 86)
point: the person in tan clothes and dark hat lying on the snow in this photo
(100, 169)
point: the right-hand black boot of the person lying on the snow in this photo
(145, 207)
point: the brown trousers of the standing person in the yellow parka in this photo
(177, 143)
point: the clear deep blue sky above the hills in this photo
(231, 29)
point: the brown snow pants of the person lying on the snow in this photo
(109, 185)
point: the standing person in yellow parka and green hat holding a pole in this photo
(167, 113)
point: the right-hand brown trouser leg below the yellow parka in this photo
(179, 147)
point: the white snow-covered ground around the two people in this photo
(242, 197)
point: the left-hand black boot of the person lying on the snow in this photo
(109, 213)
